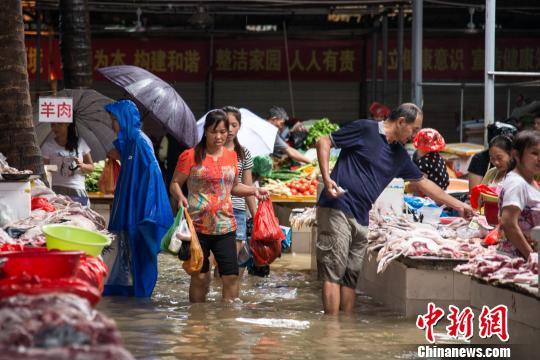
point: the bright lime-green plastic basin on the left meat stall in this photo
(64, 237)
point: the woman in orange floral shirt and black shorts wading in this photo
(211, 172)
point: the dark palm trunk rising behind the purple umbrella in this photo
(75, 44)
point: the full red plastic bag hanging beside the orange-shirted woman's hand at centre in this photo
(267, 236)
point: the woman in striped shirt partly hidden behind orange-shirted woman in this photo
(245, 164)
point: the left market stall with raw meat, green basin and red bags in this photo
(52, 277)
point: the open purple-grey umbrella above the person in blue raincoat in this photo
(157, 100)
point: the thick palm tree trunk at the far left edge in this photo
(18, 140)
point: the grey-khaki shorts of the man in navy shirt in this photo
(341, 246)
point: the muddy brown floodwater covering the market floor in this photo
(280, 317)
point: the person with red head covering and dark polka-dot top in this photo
(428, 143)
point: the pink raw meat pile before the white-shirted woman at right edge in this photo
(499, 268)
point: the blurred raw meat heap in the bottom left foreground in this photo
(60, 326)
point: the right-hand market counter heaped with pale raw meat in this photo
(410, 264)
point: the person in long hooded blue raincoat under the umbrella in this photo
(141, 213)
